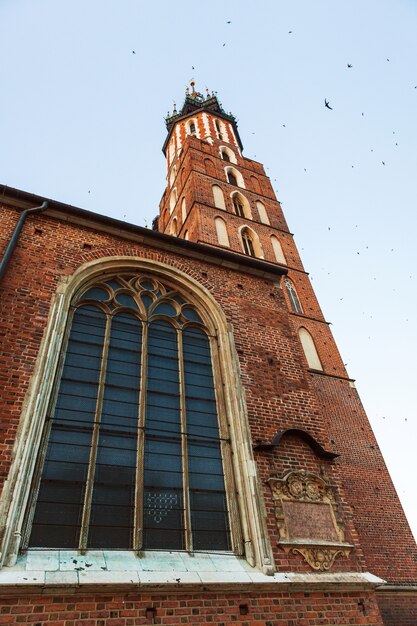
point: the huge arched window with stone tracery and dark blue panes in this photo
(133, 450)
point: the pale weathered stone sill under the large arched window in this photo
(61, 571)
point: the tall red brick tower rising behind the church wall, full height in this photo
(218, 197)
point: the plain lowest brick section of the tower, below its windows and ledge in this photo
(384, 533)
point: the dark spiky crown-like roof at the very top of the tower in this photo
(195, 101)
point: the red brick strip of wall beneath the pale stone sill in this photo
(278, 609)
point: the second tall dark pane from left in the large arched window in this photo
(116, 453)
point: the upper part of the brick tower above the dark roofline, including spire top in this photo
(214, 194)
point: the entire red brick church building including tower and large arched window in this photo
(180, 441)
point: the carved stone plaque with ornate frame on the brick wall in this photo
(307, 518)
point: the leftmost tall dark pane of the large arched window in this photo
(58, 510)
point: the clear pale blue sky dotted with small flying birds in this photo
(82, 122)
